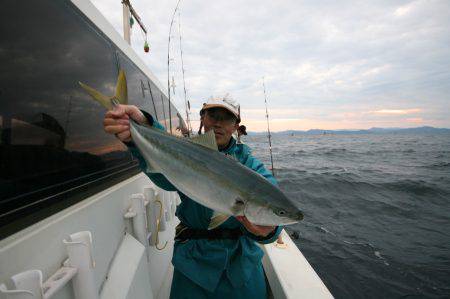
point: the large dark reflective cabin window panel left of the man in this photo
(53, 150)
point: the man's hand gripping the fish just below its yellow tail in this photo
(117, 121)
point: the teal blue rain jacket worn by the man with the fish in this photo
(215, 265)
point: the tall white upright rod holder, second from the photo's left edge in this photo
(79, 248)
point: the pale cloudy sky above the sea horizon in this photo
(326, 64)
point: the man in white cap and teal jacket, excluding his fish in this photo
(224, 262)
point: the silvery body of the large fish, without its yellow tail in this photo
(199, 170)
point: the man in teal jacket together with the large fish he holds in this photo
(229, 201)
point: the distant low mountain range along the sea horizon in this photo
(421, 130)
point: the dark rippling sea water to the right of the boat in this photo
(377, 209)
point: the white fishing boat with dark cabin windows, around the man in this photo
(78, 219)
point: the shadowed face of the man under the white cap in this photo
(223, 122)
